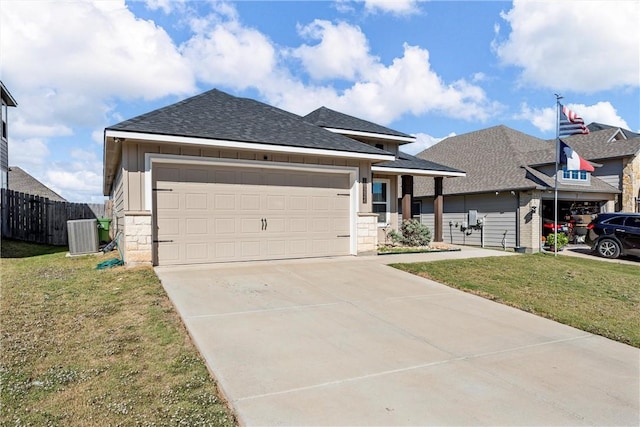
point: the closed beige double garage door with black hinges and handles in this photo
(220, 213)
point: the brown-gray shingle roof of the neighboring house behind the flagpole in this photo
(499, 159)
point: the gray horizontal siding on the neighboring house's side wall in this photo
(497, 211)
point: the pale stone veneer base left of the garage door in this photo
(137, 238)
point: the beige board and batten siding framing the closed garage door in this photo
(133, 165)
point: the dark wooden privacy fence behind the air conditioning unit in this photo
(40, 220)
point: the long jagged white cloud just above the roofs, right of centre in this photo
(385, 93)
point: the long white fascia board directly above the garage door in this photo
(253, 146)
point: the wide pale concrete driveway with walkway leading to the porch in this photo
(351, 341)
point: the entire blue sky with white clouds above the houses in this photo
(431, 69)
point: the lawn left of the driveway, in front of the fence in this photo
(86, 347)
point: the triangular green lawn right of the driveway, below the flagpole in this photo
(595, 296)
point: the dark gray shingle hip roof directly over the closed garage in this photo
(218, 115)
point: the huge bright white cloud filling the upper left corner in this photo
(84, 54)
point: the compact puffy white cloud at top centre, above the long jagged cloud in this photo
(342, 52)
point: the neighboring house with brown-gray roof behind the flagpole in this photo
(510, 184)
